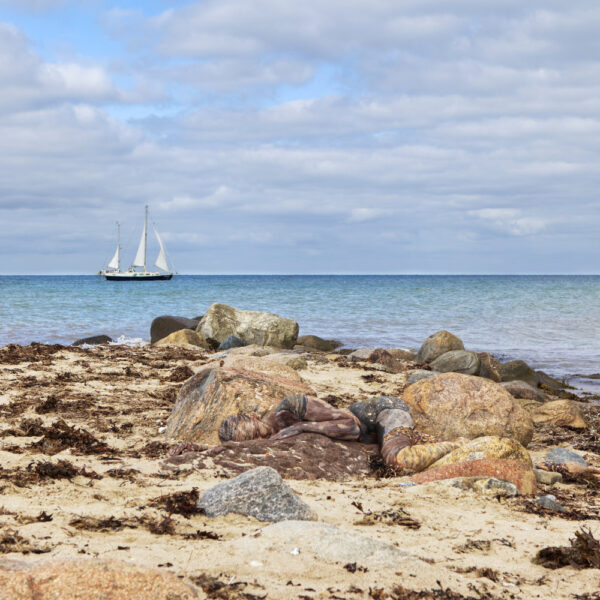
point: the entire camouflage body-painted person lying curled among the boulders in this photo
(401, 446)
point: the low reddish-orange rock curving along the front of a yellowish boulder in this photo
(510, 470)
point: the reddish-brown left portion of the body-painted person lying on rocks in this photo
(296, 414)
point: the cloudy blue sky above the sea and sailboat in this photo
(322, 136)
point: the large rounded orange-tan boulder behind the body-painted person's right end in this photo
(452, 405)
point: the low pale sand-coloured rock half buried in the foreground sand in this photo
(330, 544)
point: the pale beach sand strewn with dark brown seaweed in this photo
(105, 501)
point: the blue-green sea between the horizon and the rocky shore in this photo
(550, 321)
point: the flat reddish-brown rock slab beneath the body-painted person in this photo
(303, 456)
